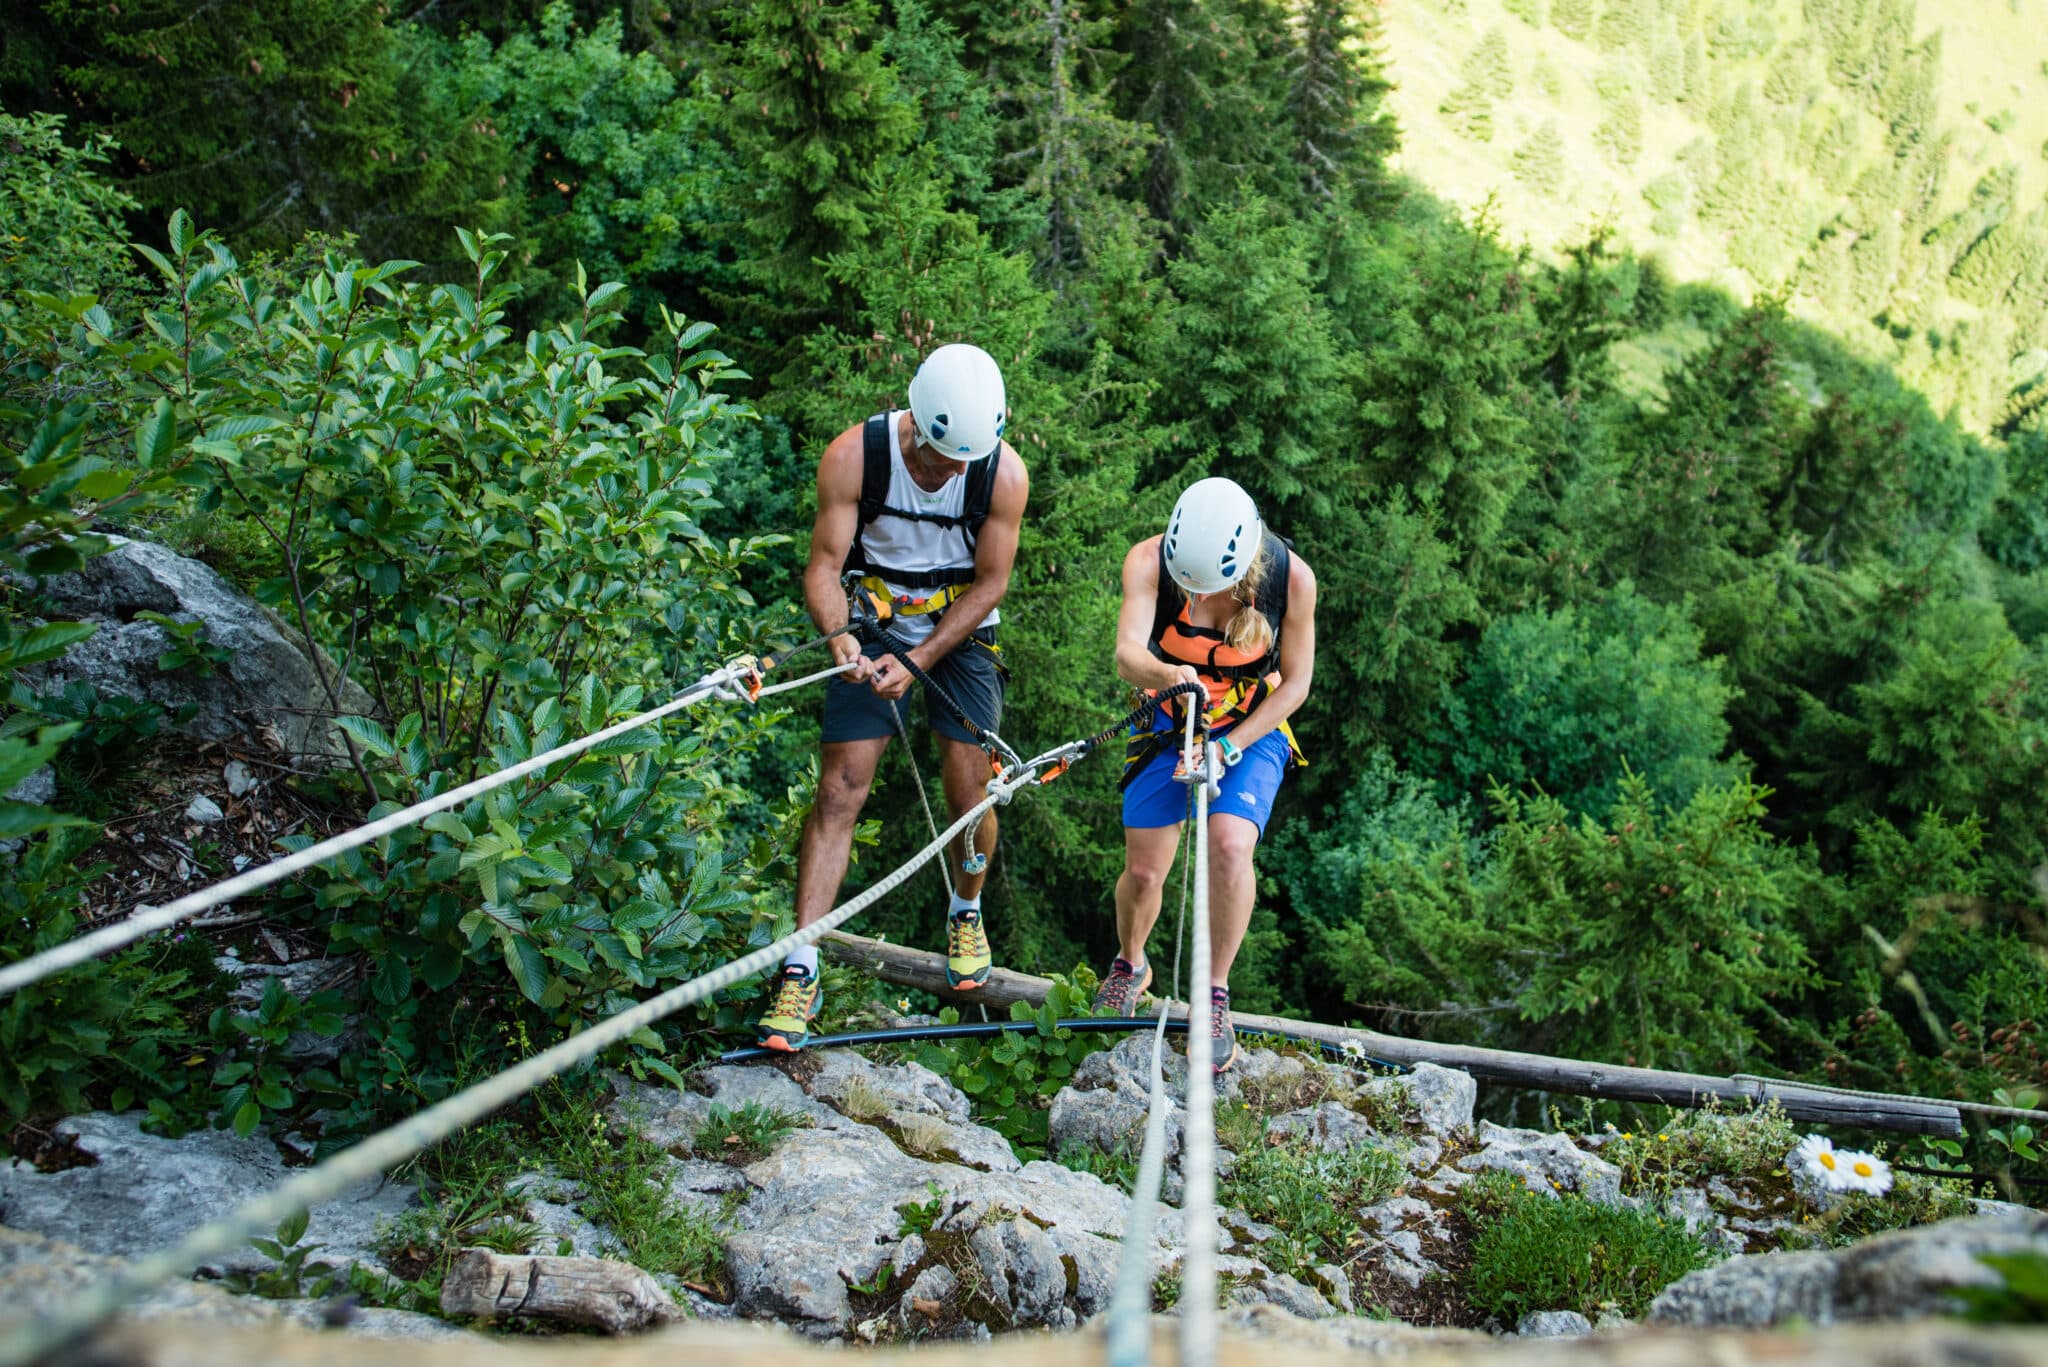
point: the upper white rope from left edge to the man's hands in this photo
(724, 683)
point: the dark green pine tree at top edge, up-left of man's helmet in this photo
(814, 114)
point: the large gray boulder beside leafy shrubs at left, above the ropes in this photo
(269, 681)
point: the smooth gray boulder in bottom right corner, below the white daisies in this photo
(1902, 1276)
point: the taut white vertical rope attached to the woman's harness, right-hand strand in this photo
(1199, 1151)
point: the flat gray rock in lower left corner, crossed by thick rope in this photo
(146, 1194)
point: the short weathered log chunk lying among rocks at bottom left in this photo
(593, 1292)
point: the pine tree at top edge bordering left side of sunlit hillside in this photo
(1336, 108)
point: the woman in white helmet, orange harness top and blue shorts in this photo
(1222, 602)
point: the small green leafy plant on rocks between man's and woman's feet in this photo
(1013, 1079)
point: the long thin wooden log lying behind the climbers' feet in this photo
(916, 968)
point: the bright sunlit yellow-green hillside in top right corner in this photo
(1887, 167)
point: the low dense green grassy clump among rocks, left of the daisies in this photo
(1564, 1253)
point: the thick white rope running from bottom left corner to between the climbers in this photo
(427, 1128)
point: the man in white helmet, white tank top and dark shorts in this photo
(927, 505)
